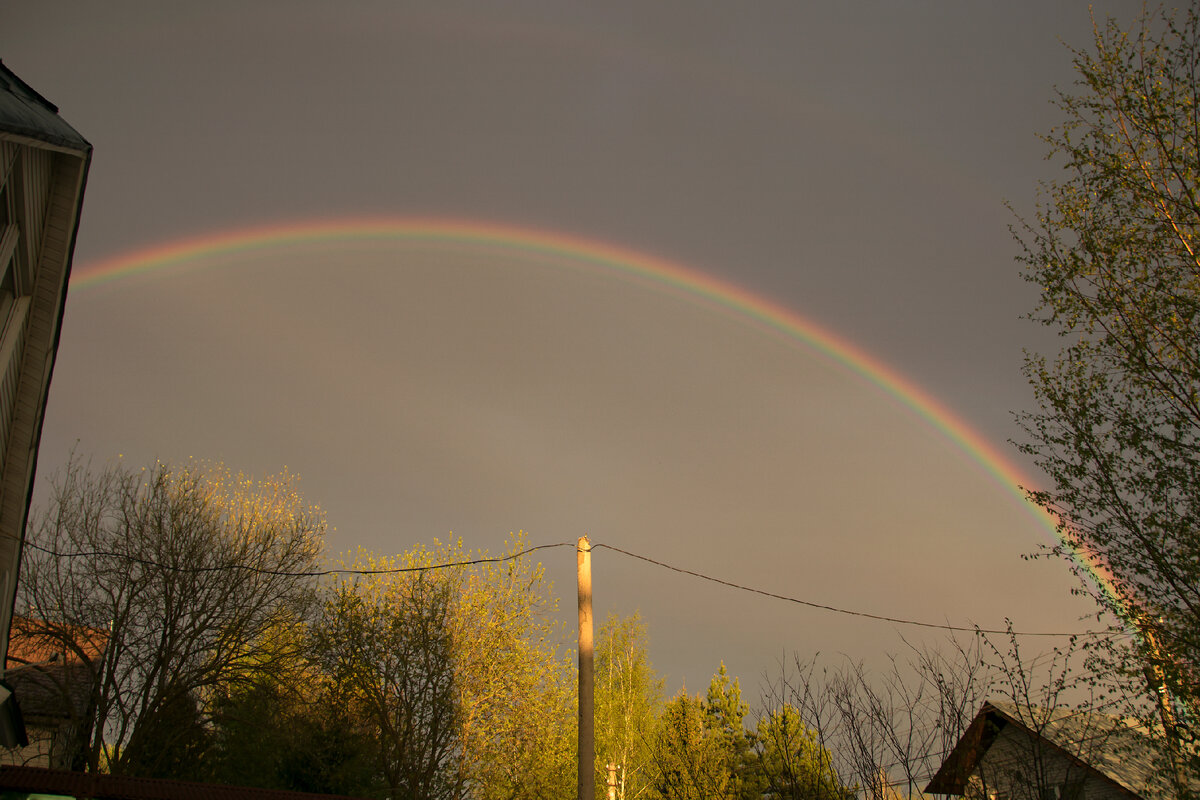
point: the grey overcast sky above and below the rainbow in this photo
(850, 163)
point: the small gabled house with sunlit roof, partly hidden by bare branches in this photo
(1010, 753)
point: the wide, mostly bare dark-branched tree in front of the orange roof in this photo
(166, 582)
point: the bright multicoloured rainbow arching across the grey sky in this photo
(622, 263)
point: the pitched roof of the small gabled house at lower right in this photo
(1118, 750)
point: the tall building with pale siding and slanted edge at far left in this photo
(44, 167)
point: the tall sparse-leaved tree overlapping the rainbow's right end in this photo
(1114, 252)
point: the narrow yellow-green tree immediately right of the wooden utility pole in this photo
(628, 699)
